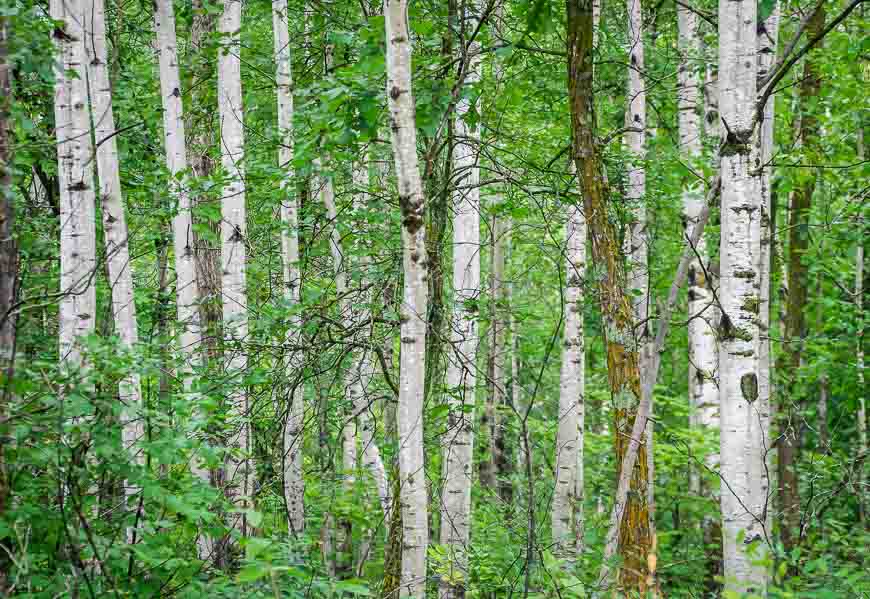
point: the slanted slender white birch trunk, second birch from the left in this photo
(115, 230)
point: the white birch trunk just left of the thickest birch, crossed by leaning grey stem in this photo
(703, 312)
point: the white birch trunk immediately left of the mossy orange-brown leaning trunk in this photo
(568, 492)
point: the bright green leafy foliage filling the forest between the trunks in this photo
(64, 529)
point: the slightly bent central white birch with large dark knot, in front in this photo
(415, 530)
